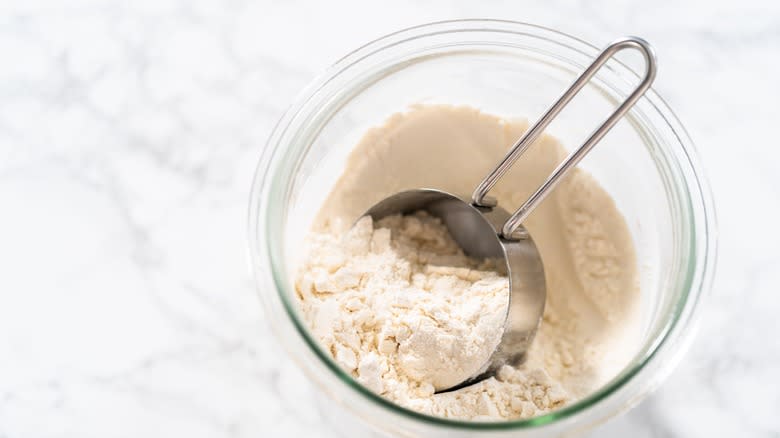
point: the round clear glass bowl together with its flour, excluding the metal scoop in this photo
(385, 314)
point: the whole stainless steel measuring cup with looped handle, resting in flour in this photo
(483, 229)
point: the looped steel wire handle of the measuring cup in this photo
(513, 223)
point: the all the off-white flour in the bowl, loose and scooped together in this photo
(405, 312)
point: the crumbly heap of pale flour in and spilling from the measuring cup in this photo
(411, 307)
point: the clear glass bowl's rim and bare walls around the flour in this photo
(647, 163)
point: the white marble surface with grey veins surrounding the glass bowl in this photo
(128, 136)
